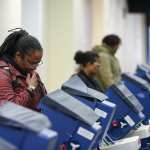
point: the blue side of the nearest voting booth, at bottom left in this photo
(26, 140)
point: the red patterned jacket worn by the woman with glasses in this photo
(13, 87)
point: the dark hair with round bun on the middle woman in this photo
(83, 58)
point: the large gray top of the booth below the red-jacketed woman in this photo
(15, 115)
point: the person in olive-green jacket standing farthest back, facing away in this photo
(110, 71)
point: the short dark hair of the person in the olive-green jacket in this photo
(111, 40)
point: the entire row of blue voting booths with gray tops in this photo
(75, 117)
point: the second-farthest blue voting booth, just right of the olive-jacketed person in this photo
(141, 89)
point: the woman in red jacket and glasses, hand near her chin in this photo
(20, 55)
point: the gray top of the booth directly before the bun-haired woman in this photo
(76, 86)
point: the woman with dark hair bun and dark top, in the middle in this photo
(88, 62)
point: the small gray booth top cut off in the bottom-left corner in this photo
(4, 145)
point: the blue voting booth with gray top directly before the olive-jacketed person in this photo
(128, 113)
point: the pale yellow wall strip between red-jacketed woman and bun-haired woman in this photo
(58, 41)
